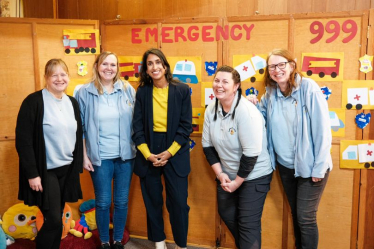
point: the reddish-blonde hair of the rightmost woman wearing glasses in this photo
(291, 59)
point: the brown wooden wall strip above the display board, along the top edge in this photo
(145, 9)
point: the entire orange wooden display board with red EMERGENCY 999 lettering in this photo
(192, 42)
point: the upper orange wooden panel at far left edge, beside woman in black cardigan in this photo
(16, 57)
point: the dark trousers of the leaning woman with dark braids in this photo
(242, 210)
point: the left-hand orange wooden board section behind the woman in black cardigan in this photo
(25, 47)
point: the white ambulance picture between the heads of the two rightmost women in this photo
(250, 67)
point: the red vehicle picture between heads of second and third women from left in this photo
(129, 67)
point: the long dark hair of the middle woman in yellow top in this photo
(144, 78)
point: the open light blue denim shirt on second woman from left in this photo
(88, 99)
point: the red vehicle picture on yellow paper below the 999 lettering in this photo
(323, 66)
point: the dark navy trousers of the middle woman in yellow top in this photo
(176, 198)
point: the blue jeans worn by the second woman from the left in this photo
(121, 173)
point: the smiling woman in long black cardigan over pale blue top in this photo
(49, 145)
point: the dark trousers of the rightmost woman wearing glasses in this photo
(303, 196)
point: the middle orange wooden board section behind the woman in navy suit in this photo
(132, 40)
